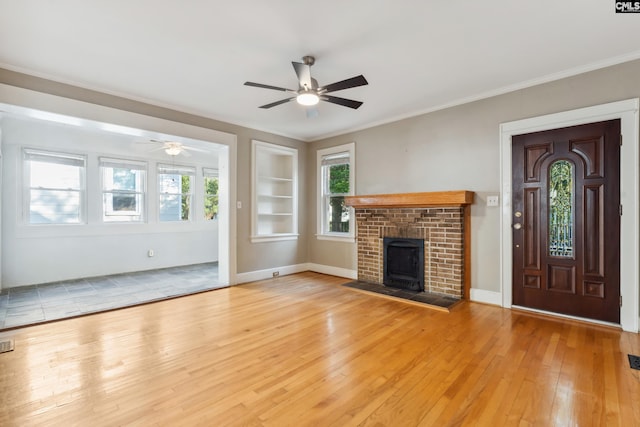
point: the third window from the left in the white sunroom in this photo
(175, 192)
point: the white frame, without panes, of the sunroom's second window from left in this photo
(140, 211)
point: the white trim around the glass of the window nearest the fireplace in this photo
(335, 236)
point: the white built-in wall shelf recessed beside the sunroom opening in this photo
(275, 184)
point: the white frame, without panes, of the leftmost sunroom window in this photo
(31, 154)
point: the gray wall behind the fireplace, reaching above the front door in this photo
(458, 149)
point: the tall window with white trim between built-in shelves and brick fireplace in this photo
(336, 178)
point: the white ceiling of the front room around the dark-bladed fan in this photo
(418, 55)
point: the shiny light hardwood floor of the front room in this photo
(302, 350)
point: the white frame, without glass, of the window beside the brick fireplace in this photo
(322, 195)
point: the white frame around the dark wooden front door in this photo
(627, 112)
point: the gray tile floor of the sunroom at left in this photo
(27, 305)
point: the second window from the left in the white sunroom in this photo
(123, 190)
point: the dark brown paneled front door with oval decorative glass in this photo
(566, 220)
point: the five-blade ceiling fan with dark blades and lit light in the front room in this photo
(309, 93)
